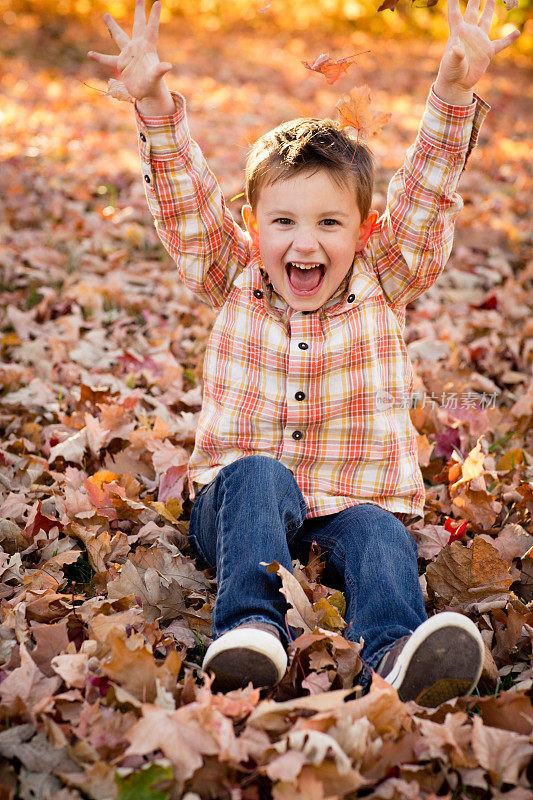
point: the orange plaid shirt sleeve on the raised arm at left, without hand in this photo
(190, 215)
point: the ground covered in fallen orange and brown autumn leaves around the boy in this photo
(104, 615)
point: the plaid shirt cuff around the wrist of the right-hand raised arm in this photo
(454, 129)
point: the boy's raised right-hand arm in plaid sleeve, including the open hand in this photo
(413, 238)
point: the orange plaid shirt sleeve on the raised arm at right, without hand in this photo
(413, 238)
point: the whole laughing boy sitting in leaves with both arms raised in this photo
(304, 432)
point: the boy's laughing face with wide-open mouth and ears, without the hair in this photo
(307, 220)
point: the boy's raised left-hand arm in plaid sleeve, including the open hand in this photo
(183, 195)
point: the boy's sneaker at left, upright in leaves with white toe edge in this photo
(252, 652)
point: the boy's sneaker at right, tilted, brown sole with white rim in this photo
(441, 659)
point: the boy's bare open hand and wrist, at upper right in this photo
(468, 52)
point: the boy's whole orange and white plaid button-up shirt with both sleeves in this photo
(326, 392)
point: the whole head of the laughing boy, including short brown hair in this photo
(309, 193)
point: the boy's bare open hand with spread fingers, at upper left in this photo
(138, 63)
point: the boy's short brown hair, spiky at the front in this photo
(307, 144)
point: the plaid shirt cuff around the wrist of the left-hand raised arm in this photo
(165, 137)
